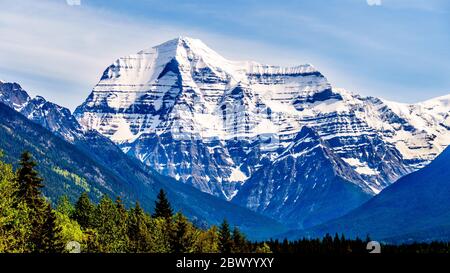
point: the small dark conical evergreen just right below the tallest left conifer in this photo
(50, 240)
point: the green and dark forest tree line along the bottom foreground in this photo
(29, 224)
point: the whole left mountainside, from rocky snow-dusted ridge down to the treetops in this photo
(73, 159)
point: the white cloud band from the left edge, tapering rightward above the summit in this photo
(55, 43)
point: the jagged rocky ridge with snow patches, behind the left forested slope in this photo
(62, 123)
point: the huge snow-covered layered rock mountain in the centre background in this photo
(279, 140)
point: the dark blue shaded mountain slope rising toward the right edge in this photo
(416, 207)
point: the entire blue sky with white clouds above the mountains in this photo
(394, 49)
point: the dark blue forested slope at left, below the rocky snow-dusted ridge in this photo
(70, 170)
